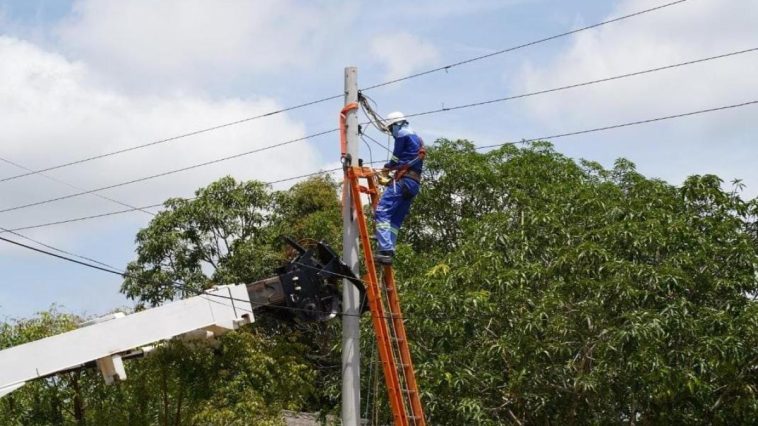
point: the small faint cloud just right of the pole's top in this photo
(403, 53)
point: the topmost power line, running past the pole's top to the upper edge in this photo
(333, 97)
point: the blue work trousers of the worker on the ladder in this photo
(392, 210)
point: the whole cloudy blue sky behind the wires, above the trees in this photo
(80, 78)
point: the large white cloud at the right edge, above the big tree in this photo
(713, 143)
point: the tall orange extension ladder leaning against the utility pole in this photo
(386, 317)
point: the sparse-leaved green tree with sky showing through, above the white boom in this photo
(217, 237)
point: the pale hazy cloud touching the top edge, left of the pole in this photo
(183, 41)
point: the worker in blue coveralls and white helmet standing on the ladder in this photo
(406, 162)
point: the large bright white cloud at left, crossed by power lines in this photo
(54, 112)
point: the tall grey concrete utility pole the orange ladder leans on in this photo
(351, 332)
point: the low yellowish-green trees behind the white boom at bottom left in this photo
(240, 378)
